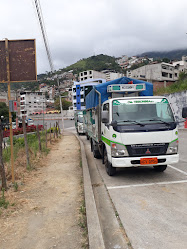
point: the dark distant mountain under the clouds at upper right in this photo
(172, 55)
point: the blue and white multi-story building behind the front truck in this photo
(81, 89)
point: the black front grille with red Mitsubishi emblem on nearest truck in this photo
(147, 149)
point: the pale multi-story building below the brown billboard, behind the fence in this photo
(32, 102)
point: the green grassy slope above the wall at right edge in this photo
(178, 86)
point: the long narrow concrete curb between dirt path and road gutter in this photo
(94, 229)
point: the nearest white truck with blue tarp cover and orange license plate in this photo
(128, 127)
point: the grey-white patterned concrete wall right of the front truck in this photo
(178, 101)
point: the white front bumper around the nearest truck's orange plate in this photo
(135, 161)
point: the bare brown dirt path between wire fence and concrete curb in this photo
(50, 214)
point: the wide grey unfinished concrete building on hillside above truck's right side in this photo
(158, 72)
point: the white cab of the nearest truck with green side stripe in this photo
(139, 131)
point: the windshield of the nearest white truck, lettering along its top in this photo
(144, 111)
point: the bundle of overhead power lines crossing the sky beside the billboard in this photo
(44, 34)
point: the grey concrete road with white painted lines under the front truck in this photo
(151, 205)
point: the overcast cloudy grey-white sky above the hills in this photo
(78, 29)
